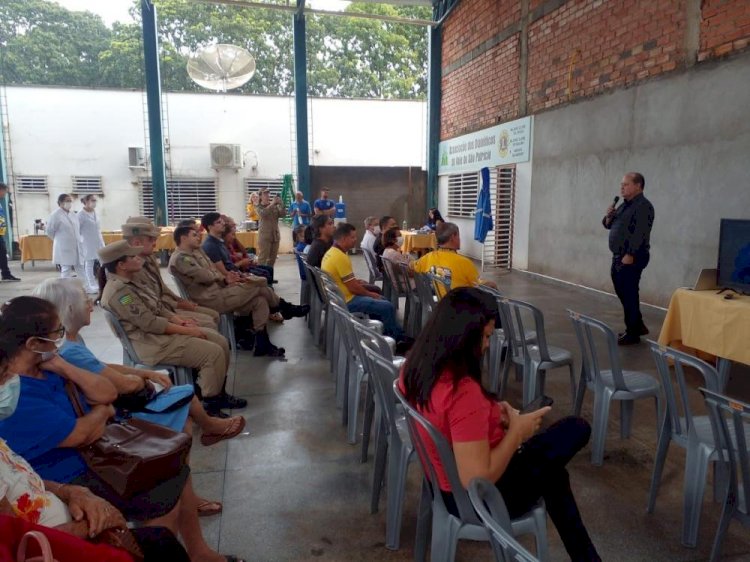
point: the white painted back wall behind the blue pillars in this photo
(61, 132)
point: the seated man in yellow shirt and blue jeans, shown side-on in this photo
(338, 265)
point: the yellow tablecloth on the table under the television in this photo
(707, 322)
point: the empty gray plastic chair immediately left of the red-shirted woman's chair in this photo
(392, 442)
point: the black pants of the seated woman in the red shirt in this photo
(538, 470)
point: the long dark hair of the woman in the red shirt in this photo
(451, 340)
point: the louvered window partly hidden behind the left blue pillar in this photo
(187, 198)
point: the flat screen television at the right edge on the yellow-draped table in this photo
(734, 255)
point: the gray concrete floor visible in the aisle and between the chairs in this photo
(293, 489)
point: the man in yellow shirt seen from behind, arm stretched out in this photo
(448, 263)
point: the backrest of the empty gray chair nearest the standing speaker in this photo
(586, 330)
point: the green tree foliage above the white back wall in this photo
(43, 43)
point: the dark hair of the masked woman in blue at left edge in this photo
(22, 318)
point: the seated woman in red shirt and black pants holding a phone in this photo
(490, 439)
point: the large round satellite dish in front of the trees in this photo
(221, 67)
